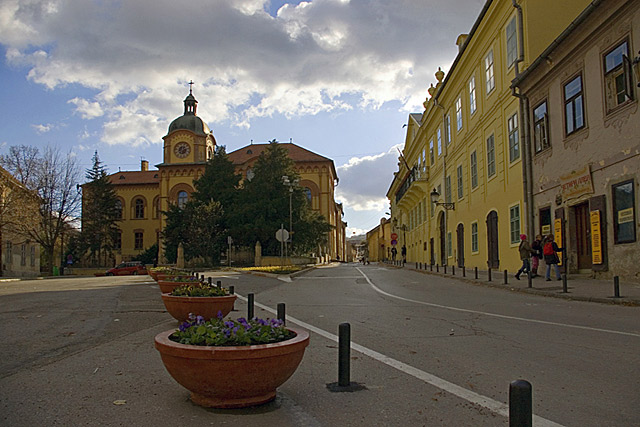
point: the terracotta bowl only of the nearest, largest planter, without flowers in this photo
(232, 377)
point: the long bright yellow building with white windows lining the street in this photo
(466, 145)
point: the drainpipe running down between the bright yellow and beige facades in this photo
(525, 137)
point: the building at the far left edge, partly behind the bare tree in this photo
(19, 255)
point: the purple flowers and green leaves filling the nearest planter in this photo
(218, 332)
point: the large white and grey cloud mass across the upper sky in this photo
(247, 64)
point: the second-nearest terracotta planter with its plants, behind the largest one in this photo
(199, 298)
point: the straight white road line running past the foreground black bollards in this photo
(468, 395)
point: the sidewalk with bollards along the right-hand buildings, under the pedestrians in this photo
(579, 287)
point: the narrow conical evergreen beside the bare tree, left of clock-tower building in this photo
(100, 213)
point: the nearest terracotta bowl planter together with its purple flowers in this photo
(251, 359)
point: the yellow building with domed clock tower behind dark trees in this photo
(188, 145)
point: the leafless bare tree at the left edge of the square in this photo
(53, 177)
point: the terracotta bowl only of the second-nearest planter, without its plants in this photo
(207, 307)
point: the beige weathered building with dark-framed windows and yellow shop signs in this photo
(581, 102)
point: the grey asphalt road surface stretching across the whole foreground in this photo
(429, 351)
